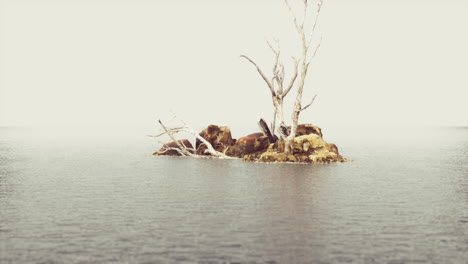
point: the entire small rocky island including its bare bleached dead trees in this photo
(297, 143)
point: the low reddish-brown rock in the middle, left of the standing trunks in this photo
(252, 143)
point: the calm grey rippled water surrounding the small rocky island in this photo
(74, 199)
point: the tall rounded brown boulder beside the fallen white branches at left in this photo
(219, 137)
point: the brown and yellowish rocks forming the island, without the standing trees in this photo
(308, 146)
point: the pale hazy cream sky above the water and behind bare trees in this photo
(129, 62)
